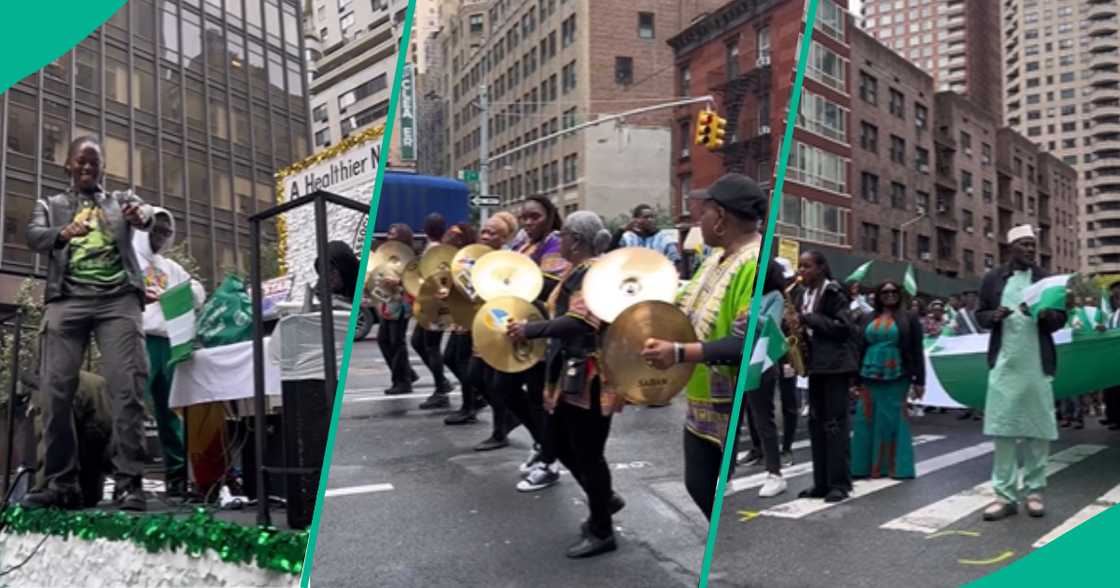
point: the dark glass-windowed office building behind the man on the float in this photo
(197, 104)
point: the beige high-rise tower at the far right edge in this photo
(1063, 94)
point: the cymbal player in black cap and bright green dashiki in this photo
(718, 295)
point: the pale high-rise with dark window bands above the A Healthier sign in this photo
(353, 59)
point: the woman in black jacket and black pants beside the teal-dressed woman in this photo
(823, 309)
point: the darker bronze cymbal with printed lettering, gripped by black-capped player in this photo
(623, 367)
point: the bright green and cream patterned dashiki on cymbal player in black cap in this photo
(714, 300)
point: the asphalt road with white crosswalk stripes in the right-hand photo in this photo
(916, 534)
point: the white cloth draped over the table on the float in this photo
(221, 375)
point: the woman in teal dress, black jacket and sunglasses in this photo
(892, 367)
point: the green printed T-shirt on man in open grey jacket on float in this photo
(95, 259)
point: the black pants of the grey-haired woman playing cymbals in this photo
(582, 442)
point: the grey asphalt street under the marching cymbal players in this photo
(412, 505)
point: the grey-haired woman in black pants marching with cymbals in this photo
(575, 394)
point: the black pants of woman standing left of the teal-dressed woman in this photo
(829, 433)
